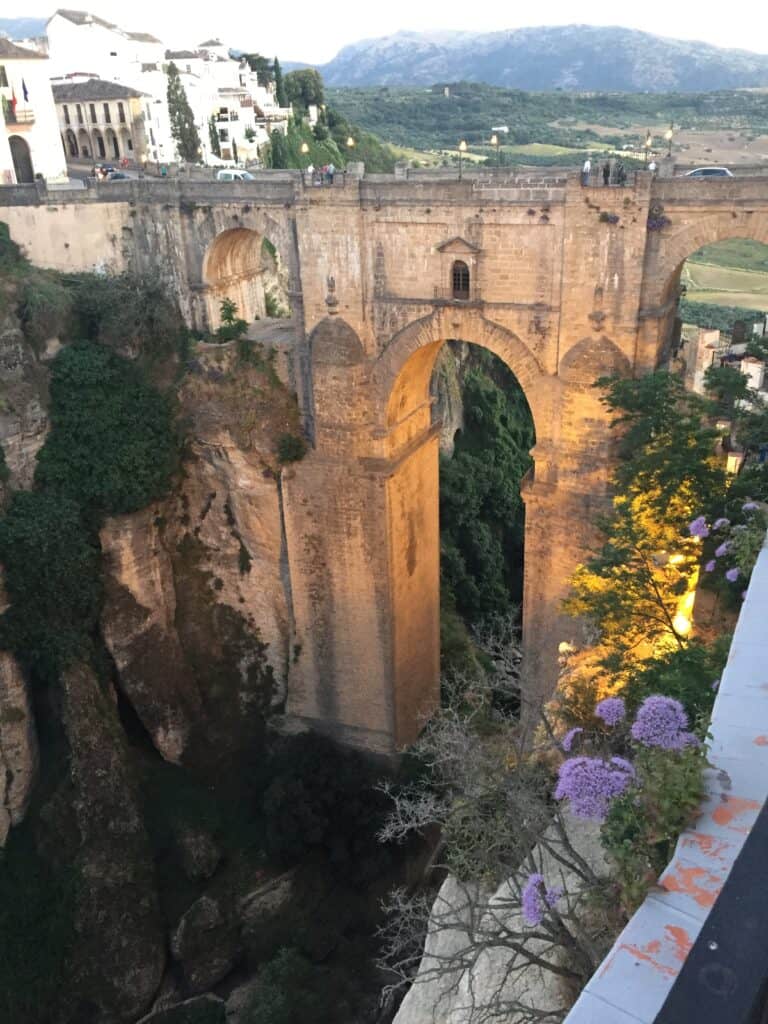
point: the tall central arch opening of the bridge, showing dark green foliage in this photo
(487, 435)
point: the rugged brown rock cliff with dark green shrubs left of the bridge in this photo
(167, 855)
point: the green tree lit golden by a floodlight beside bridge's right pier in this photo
(666, 477)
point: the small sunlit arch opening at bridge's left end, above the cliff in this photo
(245, 267)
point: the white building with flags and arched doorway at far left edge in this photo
(30, 143)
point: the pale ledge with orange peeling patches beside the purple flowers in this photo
(635, 978)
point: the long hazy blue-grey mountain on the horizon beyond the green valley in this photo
(574, 57)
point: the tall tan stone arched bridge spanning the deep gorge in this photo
(565, 284)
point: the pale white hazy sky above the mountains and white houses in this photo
(315, 31)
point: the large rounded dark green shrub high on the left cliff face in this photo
(112, 447)
